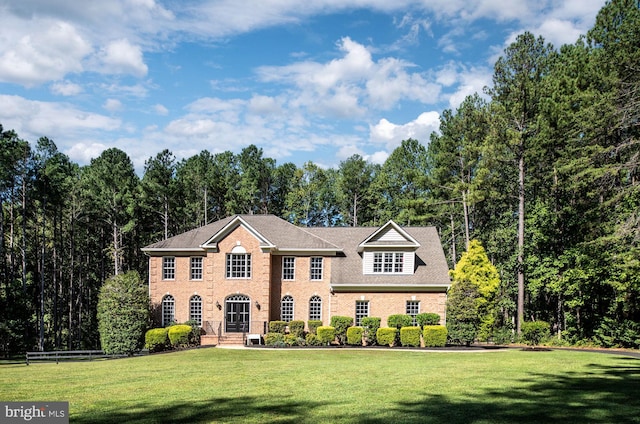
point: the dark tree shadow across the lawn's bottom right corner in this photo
(607, 394)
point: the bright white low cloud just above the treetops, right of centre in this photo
(392, 134)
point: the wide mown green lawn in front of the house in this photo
(337, 386)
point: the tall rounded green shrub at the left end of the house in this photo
(123, 314)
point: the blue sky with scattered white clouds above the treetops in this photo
(305, 81)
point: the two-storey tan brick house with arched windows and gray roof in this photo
(235, 275)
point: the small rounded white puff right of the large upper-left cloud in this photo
(121, 57)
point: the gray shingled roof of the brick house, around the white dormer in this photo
(431, 265)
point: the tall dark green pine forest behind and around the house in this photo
(542, 169)
